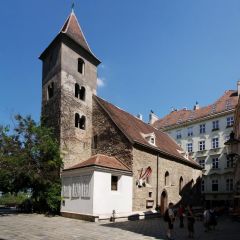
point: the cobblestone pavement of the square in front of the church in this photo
(39, 227)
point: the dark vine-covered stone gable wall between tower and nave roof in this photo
(110, 141)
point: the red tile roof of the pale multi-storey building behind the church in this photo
(225, 103)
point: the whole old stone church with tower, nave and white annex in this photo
(115, 164)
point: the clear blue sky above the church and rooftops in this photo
(155, 54)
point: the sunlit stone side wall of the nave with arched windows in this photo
(144, 159)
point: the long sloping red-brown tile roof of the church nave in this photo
(133, 129)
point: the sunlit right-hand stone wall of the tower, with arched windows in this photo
(76, 143)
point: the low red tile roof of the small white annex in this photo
(101, 161)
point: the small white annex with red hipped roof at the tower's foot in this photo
(96, 190)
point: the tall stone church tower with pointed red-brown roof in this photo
(69, 80)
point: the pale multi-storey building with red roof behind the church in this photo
(202, 133)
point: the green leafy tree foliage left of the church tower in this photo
(30, 159)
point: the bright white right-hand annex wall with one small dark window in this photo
(105, 200)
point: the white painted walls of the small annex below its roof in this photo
(101, 201)
